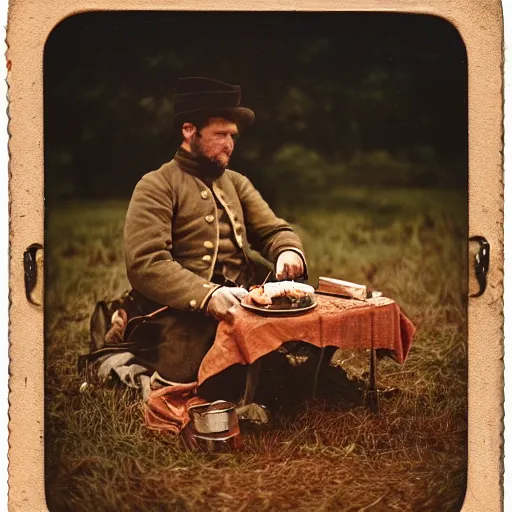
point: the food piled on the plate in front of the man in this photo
(284, 294)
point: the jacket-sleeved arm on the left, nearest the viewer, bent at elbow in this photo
(147, 246)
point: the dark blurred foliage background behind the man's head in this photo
(340, 98)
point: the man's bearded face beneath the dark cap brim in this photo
(215, 141)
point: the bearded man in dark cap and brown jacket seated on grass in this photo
(190, 230)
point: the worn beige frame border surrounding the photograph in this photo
(480, 24)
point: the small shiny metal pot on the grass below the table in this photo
(218, 416)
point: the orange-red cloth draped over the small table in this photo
(344, 323)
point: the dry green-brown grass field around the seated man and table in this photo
(319, 455)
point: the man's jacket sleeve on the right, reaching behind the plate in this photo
(267, 233)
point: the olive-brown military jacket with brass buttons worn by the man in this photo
(171, 233)
